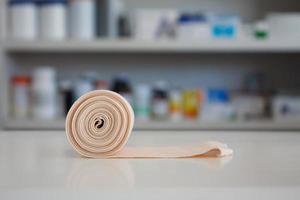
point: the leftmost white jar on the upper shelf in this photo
(23, 19)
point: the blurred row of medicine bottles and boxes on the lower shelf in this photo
(42, 96)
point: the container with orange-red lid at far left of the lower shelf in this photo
(21, 96)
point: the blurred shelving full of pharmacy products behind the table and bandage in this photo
(181, 64)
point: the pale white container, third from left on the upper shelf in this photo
(83, 19)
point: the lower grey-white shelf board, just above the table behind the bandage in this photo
(165, 125)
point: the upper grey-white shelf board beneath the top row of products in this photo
(160, 46)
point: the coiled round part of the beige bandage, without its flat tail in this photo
(99, 124)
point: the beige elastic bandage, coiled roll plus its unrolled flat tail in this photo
(100, 122)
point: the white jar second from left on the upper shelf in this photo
(53, 19)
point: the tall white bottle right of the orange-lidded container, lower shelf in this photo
(44, 93)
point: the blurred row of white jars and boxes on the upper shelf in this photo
(89, 19)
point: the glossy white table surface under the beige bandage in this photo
(42, 165)
